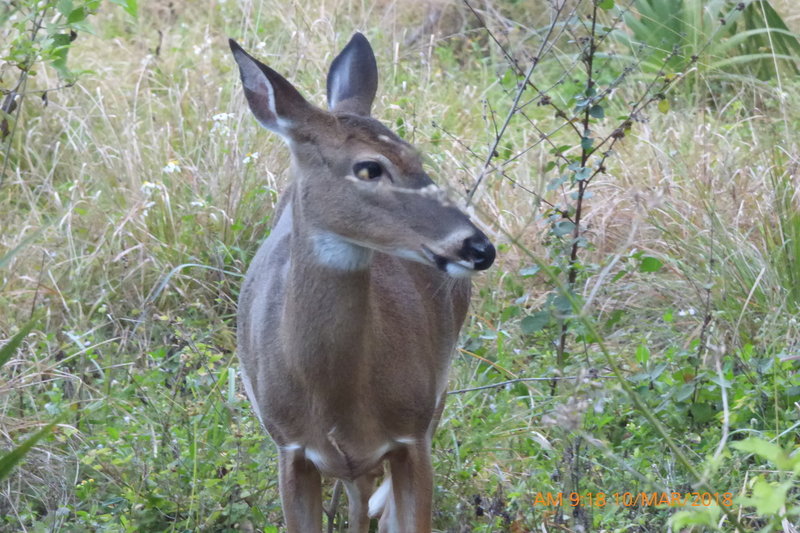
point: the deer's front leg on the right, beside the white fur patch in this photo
(409, 507)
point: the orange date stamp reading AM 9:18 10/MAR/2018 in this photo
(633, 499)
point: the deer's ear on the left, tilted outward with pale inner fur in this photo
(276, 104)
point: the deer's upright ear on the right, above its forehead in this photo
(353, 78)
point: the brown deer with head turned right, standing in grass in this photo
(350, 310)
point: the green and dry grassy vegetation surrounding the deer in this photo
(636, 343)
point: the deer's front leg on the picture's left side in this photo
(301, 492)
